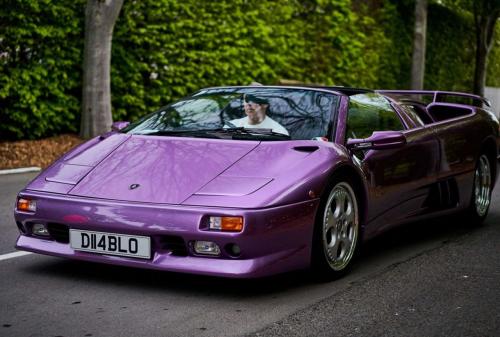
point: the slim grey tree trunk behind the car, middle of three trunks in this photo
(418, 58)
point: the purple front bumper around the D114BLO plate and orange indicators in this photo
(273, 240)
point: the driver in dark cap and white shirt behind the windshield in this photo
(256, 115)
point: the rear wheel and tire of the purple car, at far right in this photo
(481, 191)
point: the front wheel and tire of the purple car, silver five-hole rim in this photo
(337, 231)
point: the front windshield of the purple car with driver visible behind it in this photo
(265, 113)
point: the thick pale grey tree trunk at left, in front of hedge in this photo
(100, 18)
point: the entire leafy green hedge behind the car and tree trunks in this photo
(165, 49)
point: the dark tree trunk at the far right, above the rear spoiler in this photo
(486, 14)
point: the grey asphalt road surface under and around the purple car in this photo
(438, 278)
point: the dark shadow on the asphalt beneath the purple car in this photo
(415, 237)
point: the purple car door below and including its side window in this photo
(399, 179)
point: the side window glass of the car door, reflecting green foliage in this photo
(368, 113)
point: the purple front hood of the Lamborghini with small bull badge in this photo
(191, 171)
